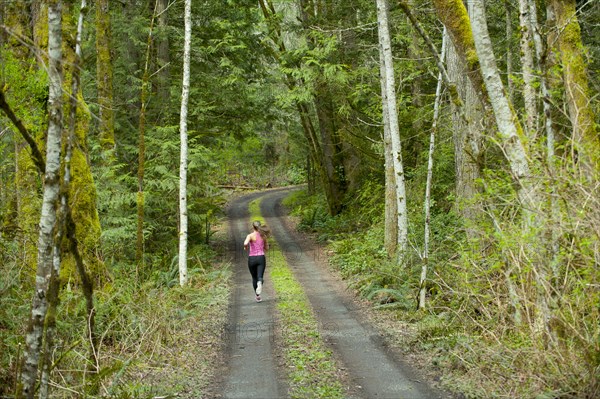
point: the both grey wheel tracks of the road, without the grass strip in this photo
(253, 369)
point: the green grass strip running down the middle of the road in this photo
(312, 370)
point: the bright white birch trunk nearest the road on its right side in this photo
(389, 96)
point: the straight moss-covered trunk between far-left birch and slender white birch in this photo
(104, 72)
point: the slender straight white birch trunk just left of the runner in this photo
(183, 216)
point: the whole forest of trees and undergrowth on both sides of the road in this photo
(444, 154)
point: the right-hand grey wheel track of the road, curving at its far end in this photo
(373, 369)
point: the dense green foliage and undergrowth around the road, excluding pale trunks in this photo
(288, 92)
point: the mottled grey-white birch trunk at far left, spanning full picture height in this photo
(34, 337)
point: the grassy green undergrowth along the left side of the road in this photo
(156, 339)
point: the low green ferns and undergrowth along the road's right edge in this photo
(465, 335)
